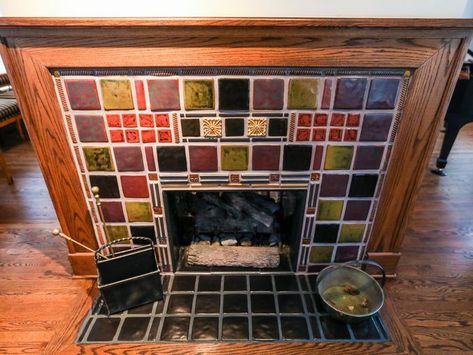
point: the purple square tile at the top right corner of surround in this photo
(382, 94)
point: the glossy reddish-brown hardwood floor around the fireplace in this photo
(40, 304)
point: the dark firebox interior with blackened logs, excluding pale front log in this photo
(235, 217)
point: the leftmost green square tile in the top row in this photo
(116, 94)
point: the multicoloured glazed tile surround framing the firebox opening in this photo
(138, 132)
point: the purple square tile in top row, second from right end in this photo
(350, 93)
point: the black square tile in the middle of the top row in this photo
(233, 94)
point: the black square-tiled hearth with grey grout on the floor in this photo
(230, 307)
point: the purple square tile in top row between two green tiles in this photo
(164, 94)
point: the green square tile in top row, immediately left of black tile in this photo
(199, 94)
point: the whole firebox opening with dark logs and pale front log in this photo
(234, 229)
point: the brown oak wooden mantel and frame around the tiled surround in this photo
(433, 49)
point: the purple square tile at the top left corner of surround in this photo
(82, 94)
